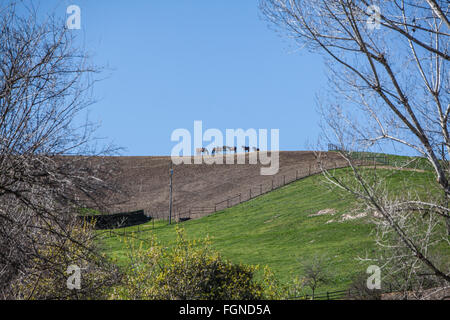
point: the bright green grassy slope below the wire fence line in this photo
(280, 229)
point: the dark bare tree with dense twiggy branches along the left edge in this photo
(45, 84)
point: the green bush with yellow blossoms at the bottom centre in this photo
(191, 270)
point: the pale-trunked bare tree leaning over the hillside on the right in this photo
(388, 69)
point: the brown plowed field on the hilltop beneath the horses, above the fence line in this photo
(204, 188)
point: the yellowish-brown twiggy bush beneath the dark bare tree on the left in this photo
(48, 281)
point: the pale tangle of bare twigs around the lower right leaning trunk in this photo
(404, 273)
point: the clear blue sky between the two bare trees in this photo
(173, 62)
